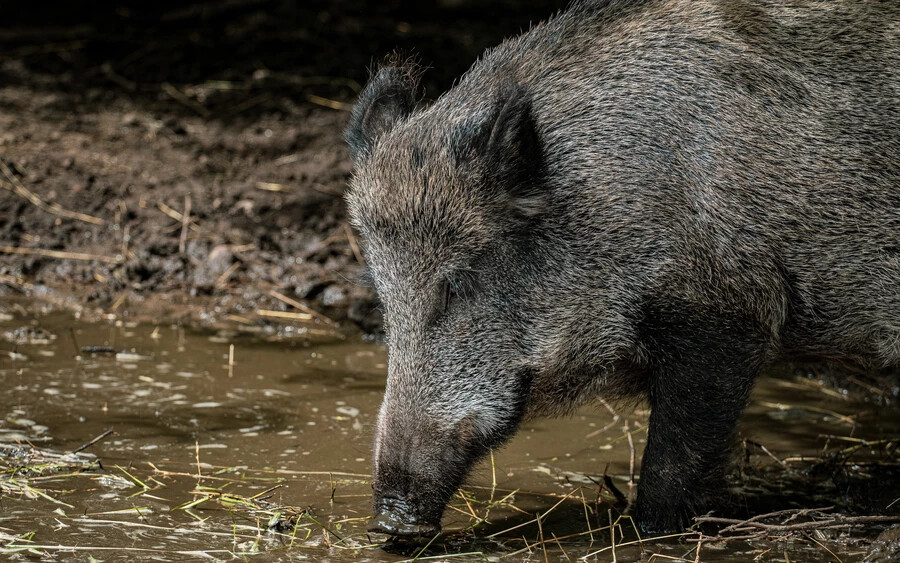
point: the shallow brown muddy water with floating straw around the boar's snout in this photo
(268, 458)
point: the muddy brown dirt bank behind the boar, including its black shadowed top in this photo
(186, 158)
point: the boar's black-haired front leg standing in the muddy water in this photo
(701, 368)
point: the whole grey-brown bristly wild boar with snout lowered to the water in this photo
(636, 198)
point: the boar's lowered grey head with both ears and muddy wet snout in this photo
(446, 199)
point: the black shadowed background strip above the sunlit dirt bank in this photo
(142, 44)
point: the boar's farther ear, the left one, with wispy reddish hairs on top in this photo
(389, 97)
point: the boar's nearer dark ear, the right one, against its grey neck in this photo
(508, 146)
